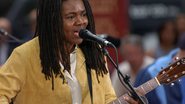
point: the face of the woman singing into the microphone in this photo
(74, 18)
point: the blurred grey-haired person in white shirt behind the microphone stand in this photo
(134, 58)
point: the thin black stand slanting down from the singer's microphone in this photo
(125, 78)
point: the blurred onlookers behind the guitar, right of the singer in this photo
(151, 56)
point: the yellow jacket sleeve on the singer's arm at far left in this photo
(13, 74)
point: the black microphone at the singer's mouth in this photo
(87, 35)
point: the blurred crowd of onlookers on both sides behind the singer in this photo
(143, 55)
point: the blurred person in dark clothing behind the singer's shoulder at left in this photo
(19, 19)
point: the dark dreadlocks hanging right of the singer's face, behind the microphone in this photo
(94, 57)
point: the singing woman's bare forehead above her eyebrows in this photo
(73, 5)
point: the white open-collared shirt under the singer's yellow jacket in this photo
(72, 80)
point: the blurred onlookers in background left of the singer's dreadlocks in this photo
(18, 18)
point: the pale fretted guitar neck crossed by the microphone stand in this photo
(141, 90)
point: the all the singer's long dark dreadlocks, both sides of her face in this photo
(52, 41)
